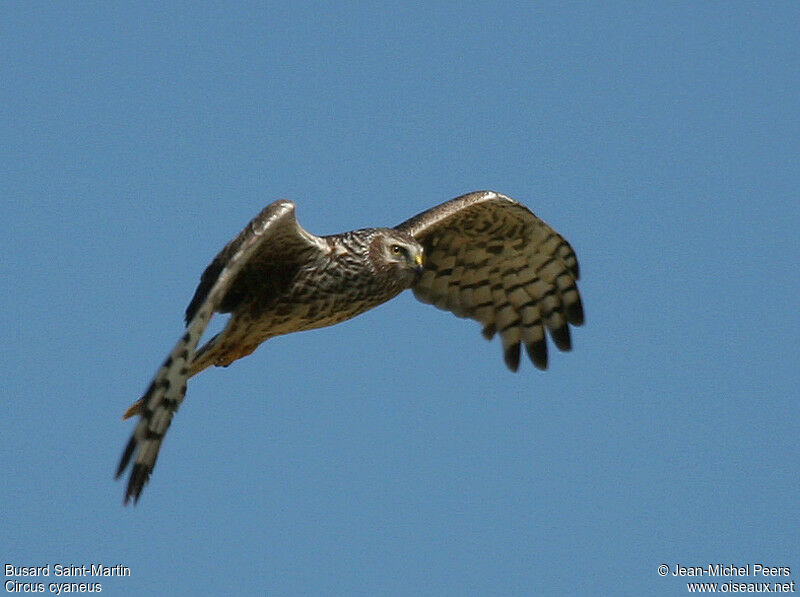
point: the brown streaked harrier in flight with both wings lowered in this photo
(482, 256)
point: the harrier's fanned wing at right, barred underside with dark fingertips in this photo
(490, 259)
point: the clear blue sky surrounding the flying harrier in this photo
(395, 454)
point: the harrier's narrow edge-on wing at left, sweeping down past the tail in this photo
(272, 233)
